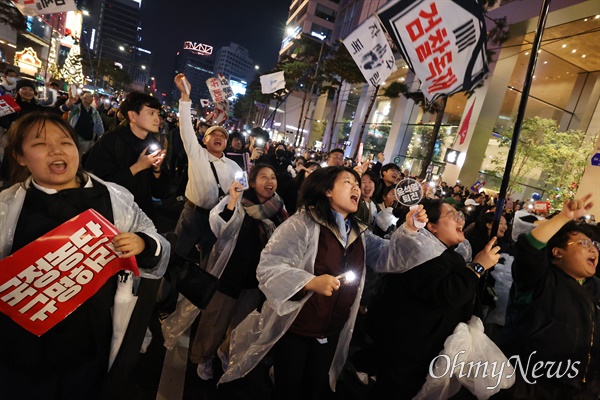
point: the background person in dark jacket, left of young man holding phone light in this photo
(87, 122)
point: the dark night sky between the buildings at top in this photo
(256, 25)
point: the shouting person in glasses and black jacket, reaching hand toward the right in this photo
(431, 291)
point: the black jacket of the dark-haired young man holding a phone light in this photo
(110, 159)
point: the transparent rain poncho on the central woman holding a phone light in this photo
(286, 266)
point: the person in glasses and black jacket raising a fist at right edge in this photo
(553, 317)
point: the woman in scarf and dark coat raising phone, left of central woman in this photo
(243, 222)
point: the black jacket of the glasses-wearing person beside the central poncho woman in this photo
(413, 315)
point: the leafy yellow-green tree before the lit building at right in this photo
(562, 156)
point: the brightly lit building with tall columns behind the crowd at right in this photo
(566, 88)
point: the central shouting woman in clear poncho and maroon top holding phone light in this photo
(309, 312)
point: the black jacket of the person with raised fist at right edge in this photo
(550, 313)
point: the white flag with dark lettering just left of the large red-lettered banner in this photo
(371, 51)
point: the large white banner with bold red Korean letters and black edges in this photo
(442, 41)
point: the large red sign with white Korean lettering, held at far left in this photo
(45, 281)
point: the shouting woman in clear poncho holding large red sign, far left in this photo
(70, 360)
